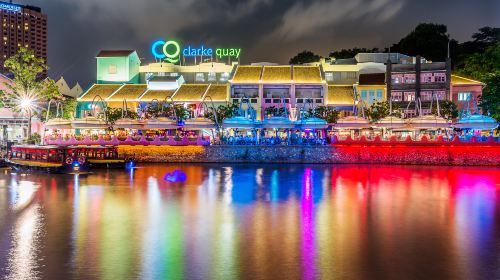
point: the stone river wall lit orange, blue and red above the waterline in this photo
(460, 155)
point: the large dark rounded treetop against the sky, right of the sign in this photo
(427, 39)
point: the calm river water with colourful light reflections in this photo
(252, 222)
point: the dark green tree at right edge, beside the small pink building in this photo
(490, 99)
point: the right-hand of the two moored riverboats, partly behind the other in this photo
(102, 156)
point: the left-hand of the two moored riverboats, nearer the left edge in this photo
(50, 159)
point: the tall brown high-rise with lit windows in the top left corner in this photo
(22, 26)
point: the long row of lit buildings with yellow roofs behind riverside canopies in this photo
(342, 84)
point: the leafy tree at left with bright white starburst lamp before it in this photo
(27, 91)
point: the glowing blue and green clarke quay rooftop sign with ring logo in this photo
(171, 51)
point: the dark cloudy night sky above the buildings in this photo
(266, 30)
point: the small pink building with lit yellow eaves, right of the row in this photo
(463, 89)
